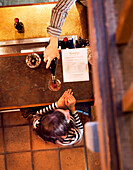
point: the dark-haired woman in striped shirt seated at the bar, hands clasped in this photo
(59, 122)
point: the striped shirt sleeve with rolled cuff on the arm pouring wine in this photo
(58, 16)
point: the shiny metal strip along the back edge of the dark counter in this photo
(27, 45)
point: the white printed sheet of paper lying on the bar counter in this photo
(75, 65)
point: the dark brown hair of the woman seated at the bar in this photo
(53, 125)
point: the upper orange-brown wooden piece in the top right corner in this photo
(125, 23)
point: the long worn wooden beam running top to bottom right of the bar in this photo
(107, 89)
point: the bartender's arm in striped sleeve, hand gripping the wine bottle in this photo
(58, 16)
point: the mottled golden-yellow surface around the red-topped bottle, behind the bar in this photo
(36, 18)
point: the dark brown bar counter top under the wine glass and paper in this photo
(22, 86)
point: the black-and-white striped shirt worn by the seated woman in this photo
(74, 134)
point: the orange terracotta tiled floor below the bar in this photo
(21, 149)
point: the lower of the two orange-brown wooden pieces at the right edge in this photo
(127, 101)
